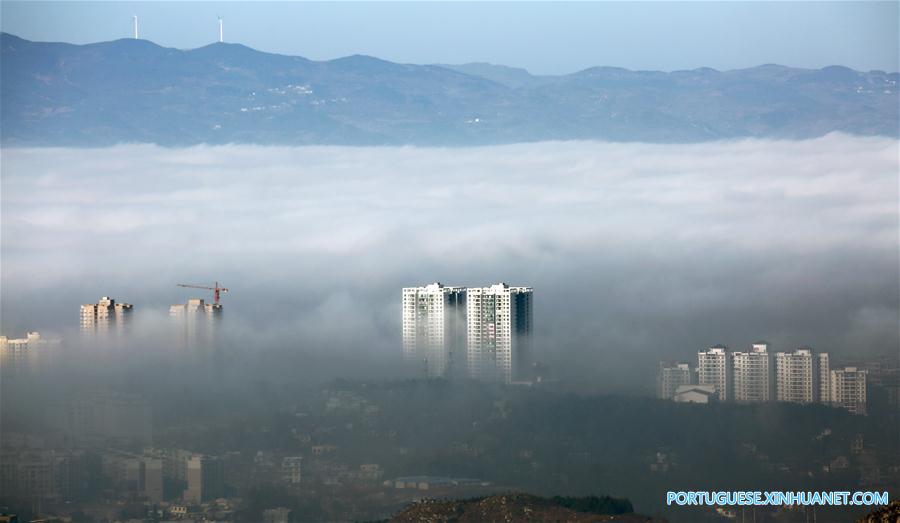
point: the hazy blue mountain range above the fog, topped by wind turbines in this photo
(136, 91)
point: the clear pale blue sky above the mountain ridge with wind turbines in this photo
(545, 38)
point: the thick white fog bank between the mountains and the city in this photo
(636, 252)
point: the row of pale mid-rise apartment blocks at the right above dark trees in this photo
(758, 375)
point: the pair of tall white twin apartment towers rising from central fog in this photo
(480, 332)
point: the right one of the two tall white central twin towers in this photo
(499, 323)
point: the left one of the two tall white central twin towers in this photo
(434, 329)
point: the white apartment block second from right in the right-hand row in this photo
(799, 376)
